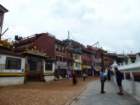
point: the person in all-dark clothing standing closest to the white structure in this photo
(119, 78)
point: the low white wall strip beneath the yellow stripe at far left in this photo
(5, 81)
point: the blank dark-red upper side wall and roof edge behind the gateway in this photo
(43, 42)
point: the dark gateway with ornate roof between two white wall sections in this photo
(35, 66)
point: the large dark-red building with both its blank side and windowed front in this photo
(59, 55)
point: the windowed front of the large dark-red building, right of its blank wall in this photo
(63, 57)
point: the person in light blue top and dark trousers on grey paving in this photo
(102, 79)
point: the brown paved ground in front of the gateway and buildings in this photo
(37, 93)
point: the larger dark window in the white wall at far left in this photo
(13, 63)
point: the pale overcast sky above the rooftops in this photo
(114, 23)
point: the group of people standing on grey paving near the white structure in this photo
(107, 75)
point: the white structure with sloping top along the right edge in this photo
(131, 71)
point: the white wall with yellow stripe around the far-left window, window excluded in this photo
(13, 79)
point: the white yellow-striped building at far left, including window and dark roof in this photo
(12, 67)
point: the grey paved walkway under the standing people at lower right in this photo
(91, 96)
